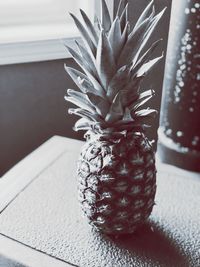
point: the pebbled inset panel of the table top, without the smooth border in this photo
(45, 216)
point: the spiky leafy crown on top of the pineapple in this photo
(113, 65)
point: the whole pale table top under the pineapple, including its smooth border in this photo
(41, 224)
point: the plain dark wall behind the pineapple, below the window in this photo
(32, 107)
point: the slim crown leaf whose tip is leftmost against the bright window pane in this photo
(86, 38)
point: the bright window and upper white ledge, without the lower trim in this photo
(33, 20)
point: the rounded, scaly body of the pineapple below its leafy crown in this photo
(117, 182)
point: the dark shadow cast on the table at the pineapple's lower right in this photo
(153, 243)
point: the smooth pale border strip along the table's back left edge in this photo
(23, 173)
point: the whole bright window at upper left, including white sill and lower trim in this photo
(35, 30)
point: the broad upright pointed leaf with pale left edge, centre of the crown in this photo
(105, 60)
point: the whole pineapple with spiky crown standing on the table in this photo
(116, 168)
